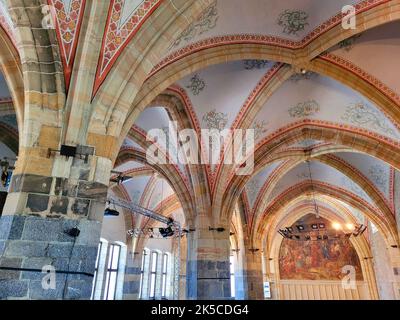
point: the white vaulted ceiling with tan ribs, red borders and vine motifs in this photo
(335, 87)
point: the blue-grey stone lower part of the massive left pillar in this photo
(29, 243)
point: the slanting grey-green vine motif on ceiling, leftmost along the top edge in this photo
(206, 22)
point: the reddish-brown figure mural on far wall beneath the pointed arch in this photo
(317, 260)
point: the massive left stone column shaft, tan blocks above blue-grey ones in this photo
(49, 196)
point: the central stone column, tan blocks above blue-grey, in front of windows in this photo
(208, 273)
